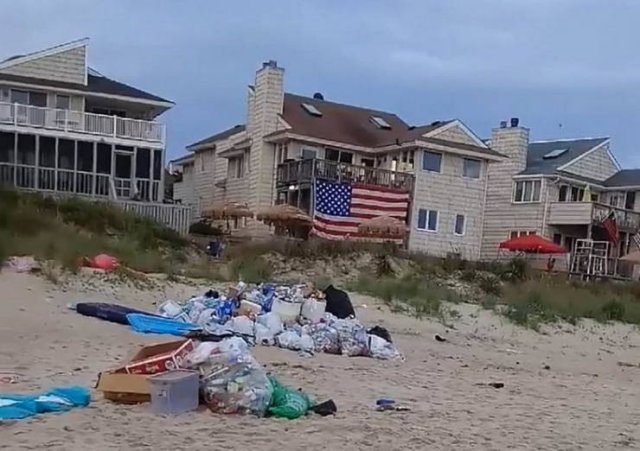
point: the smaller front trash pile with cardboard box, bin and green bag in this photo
(224, 376)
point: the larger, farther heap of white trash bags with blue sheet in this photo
(296, 317)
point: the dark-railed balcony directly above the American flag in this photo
(305, 171)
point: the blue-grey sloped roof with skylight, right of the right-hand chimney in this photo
(537, 164)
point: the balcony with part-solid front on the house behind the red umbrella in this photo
(584, 213)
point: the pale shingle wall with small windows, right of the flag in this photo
(450, 194)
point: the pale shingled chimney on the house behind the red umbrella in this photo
(512, 142)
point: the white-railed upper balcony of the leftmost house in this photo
(17, 115)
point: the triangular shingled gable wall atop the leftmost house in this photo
(66, 66)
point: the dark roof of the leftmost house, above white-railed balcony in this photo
(97, 84)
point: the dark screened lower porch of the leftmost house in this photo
(85, 168)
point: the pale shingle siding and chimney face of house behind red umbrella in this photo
(501, 216)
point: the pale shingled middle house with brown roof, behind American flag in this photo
(290, 140)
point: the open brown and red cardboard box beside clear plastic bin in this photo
(118, 385)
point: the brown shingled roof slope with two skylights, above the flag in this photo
(341, 123)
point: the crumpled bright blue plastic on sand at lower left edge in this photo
(17, 407)
